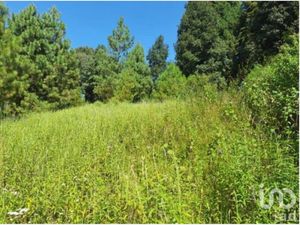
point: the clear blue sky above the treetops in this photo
(90, 23)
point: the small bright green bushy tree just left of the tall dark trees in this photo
(170, 84)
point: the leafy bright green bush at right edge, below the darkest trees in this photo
(271, 91)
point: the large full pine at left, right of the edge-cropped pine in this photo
(54, 77)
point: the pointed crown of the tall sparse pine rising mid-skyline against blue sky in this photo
(120, 41)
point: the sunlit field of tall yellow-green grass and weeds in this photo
(171, 162)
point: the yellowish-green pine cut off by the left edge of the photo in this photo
(14, 69)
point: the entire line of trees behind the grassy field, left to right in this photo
(217, 41)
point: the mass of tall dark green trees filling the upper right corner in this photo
(229, 38)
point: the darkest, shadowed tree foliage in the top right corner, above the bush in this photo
(263, 27)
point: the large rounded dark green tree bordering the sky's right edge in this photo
(206, 37)
